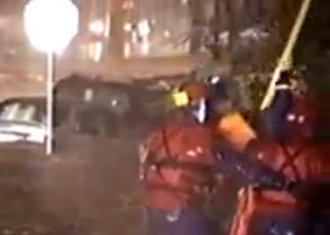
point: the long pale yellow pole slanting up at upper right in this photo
(286, 56)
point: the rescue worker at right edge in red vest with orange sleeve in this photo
(264, 210)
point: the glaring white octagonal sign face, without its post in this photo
(50, 25)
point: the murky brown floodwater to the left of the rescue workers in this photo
(86, 190)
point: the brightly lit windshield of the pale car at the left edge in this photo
(21, 112)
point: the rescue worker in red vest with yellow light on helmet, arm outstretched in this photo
(179, 161)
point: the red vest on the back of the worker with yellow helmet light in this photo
(178, 164)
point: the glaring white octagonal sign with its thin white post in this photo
(50, 26)
